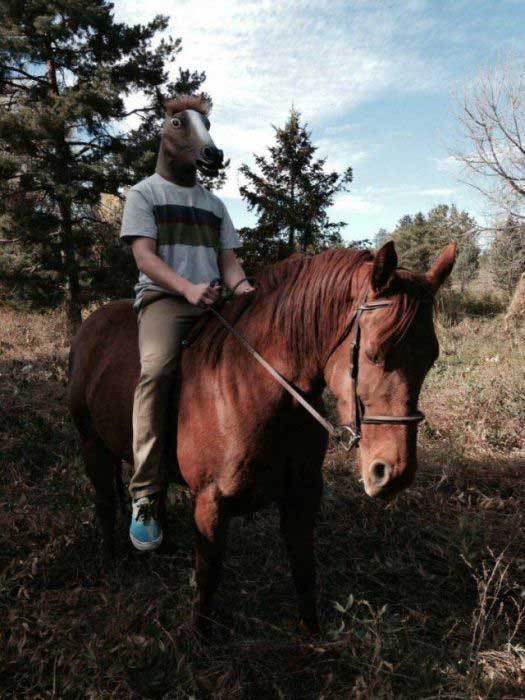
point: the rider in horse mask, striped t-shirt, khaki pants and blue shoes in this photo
(182, 239)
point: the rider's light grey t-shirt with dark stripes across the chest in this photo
(190, 225)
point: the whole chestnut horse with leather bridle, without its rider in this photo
(242, 441)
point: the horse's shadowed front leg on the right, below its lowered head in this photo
(298, 512)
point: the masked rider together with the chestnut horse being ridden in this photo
(349, 320)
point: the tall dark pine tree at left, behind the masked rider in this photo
(65, 71)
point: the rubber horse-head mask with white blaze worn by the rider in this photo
(186, 144)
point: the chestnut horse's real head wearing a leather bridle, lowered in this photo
(390, 347)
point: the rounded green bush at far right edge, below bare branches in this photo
(507, 255)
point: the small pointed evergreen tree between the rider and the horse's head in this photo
(291, 193)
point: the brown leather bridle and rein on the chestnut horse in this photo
(347, 435)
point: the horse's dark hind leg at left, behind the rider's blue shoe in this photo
(101, 468)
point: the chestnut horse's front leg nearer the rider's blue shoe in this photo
(211, 529)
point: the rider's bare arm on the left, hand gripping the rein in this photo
(148, 262)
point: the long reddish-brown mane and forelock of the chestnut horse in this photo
(307, 301)
